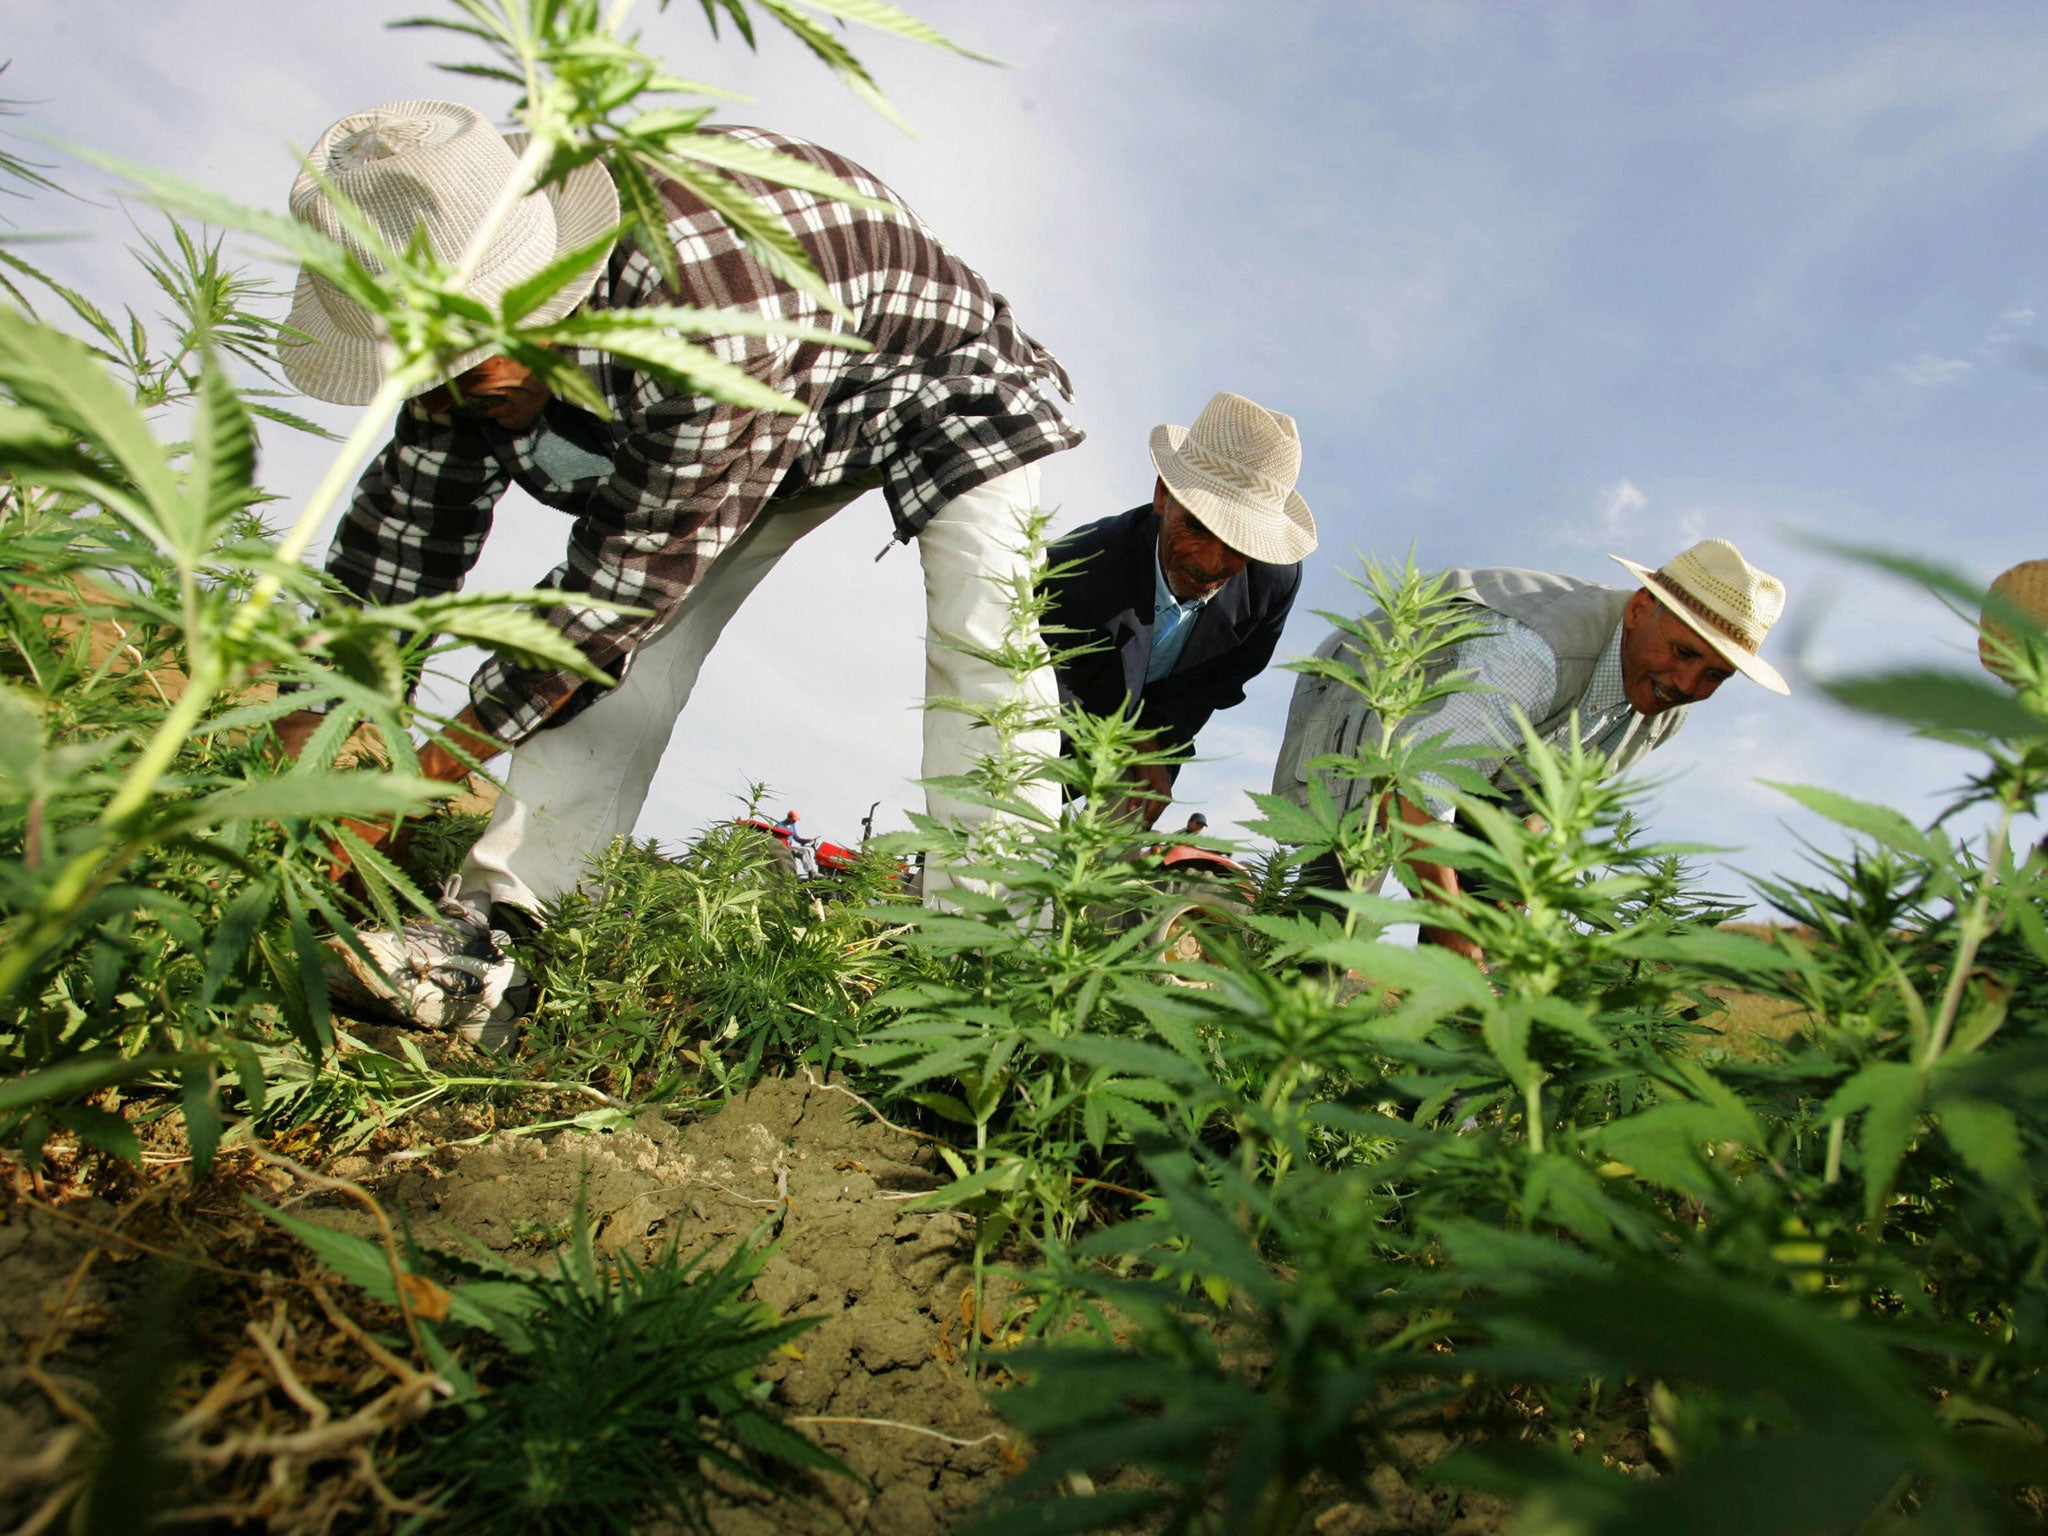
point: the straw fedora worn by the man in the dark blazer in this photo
(1236, 470)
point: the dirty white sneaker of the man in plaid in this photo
(447, 974)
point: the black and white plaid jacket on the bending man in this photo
(951, 396)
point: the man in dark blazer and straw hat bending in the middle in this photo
(1185, 597)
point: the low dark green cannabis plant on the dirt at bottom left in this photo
(605, 1390)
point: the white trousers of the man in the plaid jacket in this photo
(577, 787)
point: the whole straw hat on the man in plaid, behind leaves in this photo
(437, 167)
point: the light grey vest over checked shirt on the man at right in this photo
(1574, 617)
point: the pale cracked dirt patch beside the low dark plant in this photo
(886, 1281)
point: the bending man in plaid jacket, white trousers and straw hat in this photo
(679, 505)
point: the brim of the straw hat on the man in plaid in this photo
(345, 366)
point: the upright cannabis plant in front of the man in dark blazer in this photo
(1033, 1015)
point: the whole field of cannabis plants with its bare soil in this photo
(785, 1189)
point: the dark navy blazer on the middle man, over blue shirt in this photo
(1109, 601)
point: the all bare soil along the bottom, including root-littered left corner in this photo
(882, 1379)
